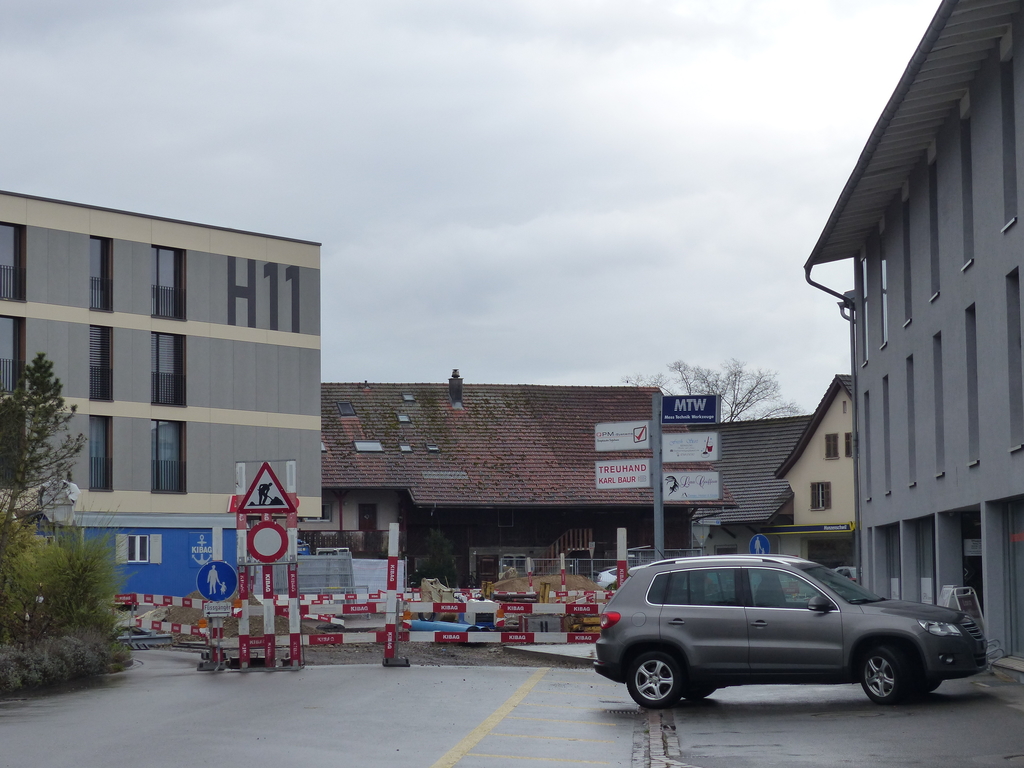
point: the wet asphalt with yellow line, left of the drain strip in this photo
(165, 713)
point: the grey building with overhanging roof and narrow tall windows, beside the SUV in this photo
(930, 224)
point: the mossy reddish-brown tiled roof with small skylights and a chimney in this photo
(510, 445)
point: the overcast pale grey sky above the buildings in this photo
(540, 192)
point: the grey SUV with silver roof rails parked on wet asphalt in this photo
(689, 627)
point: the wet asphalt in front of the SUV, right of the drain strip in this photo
(973, 722)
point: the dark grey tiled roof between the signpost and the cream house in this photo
(751, 451)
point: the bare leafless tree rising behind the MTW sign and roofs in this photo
(747, 394)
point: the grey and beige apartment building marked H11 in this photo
(187, 349)
